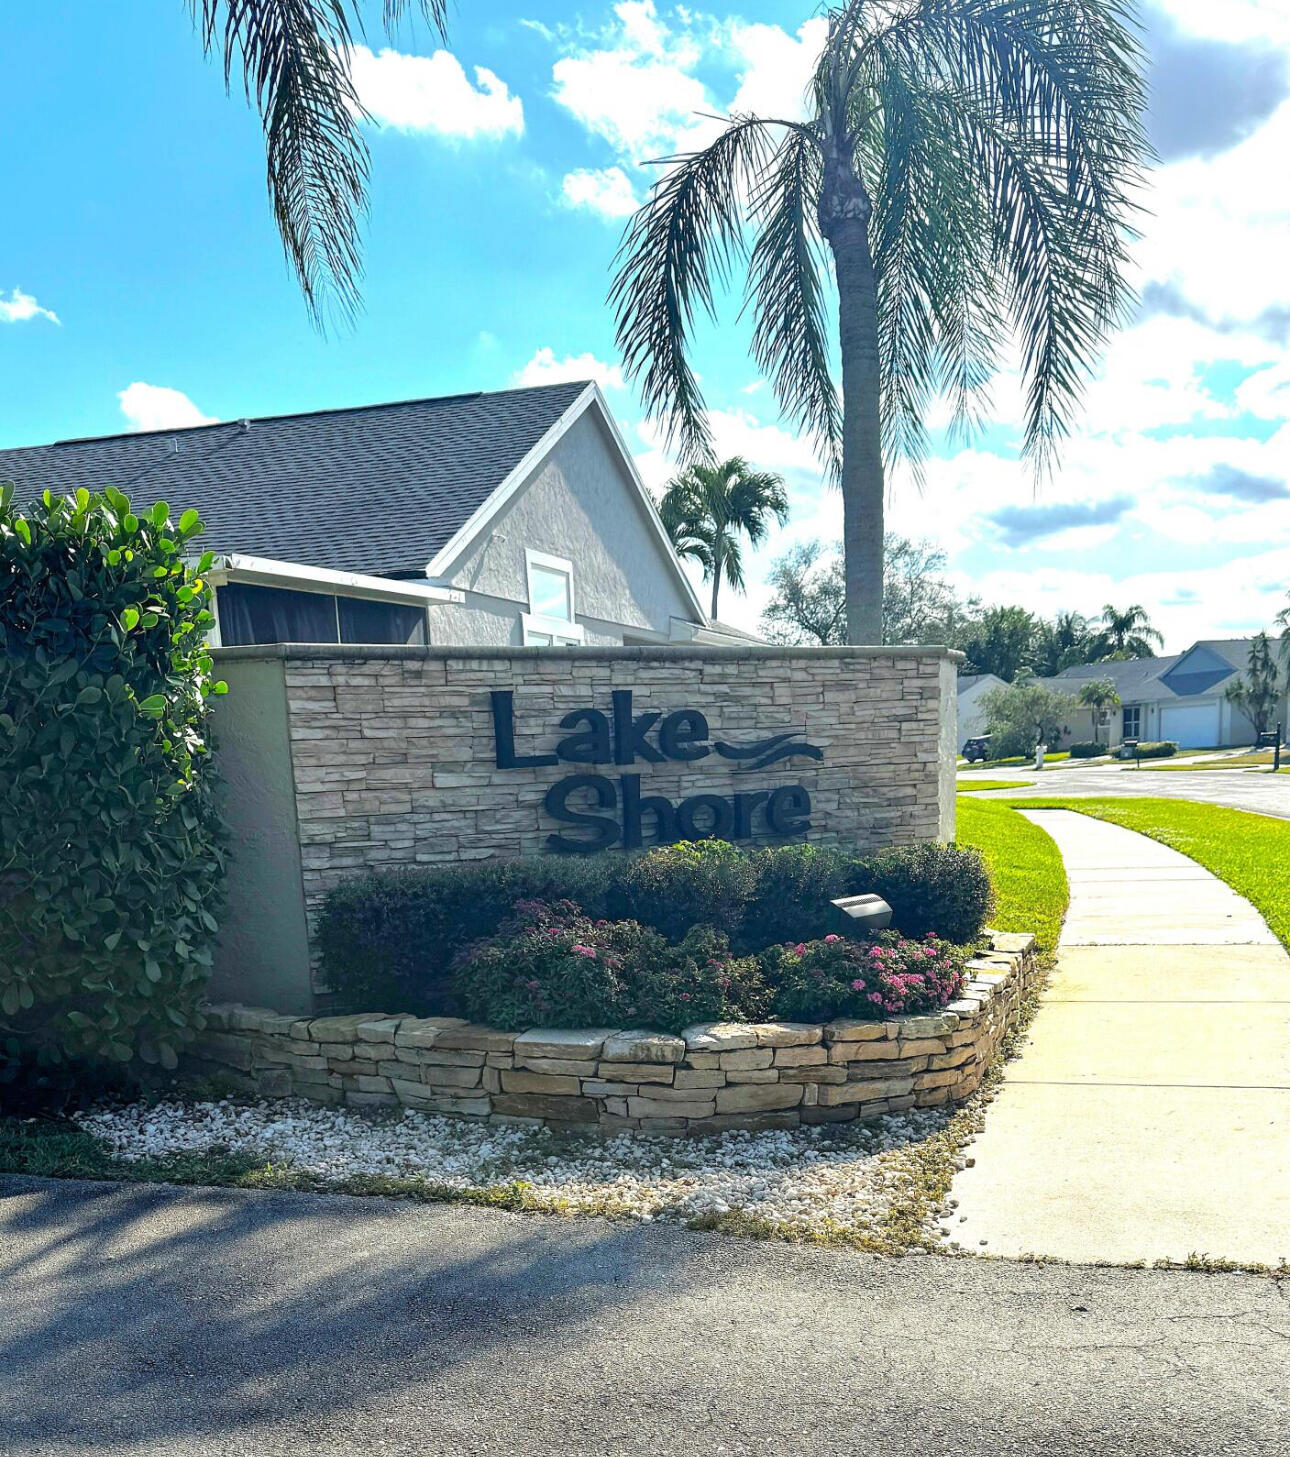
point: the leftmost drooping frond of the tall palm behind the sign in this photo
(676, 250)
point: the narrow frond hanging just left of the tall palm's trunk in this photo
(788, 295)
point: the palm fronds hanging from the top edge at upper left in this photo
(294, 58)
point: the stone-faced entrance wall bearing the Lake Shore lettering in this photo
(394, 757)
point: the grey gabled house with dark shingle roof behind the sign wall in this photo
(490, 519)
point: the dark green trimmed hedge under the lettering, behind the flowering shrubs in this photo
(388, 940)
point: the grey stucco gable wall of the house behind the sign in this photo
(581, 506)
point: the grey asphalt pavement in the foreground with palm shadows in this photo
(142, 1319)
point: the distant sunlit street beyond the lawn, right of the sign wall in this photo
(1238, 789)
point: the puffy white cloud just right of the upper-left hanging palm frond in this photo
(434, 94)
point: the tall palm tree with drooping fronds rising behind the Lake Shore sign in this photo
(967, 170)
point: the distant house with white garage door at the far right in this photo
(1177, 699)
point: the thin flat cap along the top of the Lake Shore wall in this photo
(664, 652)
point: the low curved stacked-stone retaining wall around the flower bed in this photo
(712, 1077)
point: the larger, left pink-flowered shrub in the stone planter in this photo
(550, 965)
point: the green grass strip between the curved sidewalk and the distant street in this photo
(1250, 852)
